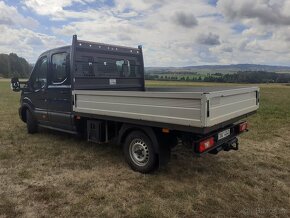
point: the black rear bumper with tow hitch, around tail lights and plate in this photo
(226, 144)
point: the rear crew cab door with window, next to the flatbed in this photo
(59, 91)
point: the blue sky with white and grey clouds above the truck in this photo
(173, 33)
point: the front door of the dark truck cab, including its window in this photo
(36, 93)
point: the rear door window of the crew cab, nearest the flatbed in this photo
(59, 68)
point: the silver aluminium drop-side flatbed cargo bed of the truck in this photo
(198, 107)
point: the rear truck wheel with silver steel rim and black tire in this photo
(139, 152)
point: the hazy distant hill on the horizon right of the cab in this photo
(234, 68)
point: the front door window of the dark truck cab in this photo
(39, 77)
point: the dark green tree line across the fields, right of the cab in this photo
(239, 77)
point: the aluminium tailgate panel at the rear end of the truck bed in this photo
(228, 104)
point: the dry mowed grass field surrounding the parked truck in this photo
(52, 174)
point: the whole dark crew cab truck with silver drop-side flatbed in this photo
(98, 91)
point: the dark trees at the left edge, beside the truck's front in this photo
(13, 66)
